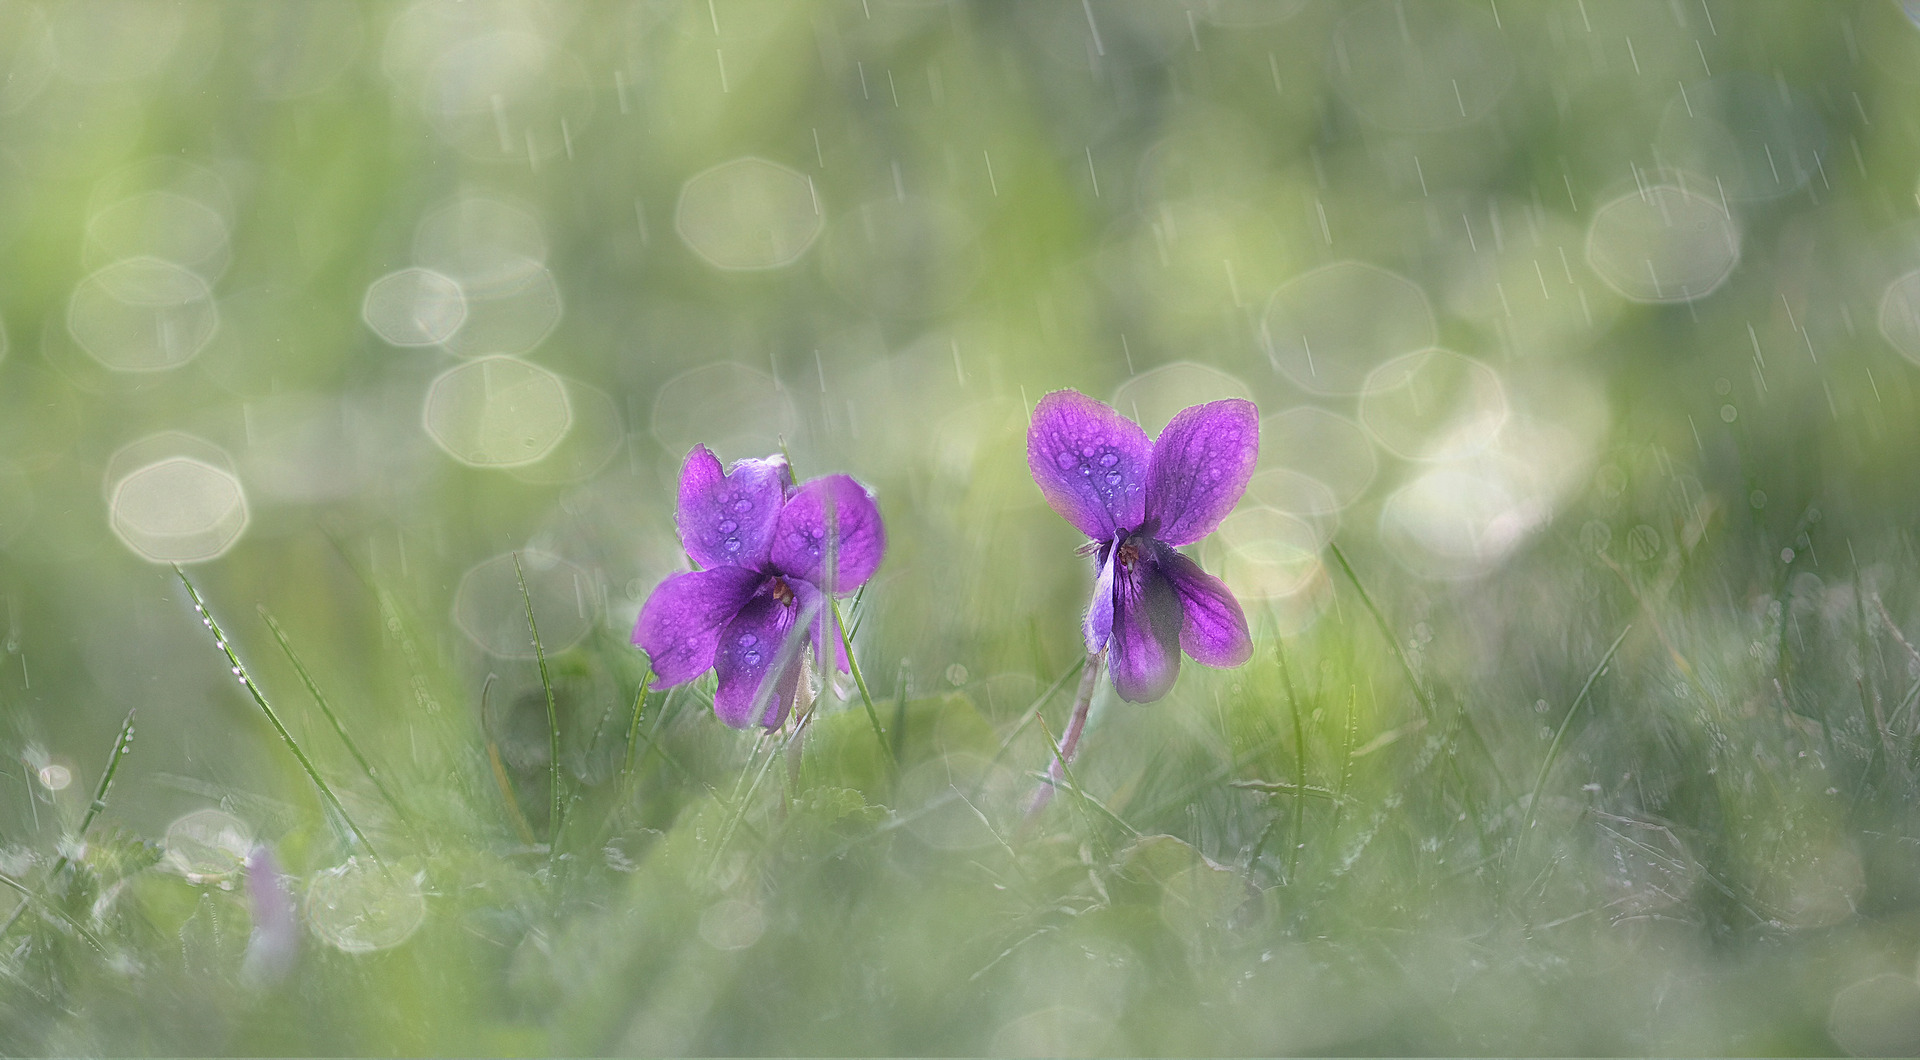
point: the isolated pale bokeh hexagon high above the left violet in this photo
(750, 214)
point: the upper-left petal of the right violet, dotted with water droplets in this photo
(1090, 462)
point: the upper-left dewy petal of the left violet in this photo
(727, 519)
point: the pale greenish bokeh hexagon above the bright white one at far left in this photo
(143, 316)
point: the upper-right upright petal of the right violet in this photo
(1201, 468)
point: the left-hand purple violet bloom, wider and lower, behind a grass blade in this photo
(771, 556)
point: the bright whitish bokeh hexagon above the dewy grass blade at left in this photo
(178, 510)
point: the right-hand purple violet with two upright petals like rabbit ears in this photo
(1140, 502)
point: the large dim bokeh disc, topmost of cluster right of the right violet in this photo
(1330, 327)
